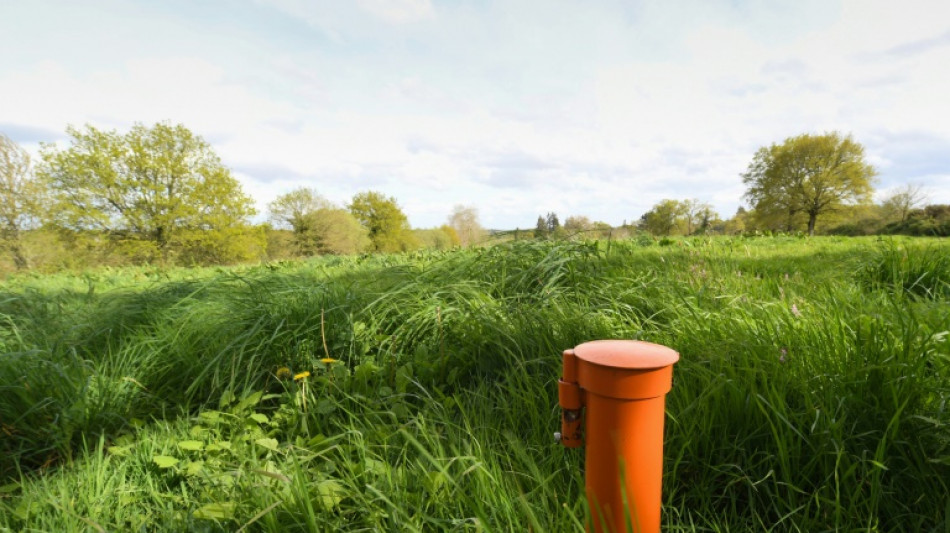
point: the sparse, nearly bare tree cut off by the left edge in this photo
(21, 199)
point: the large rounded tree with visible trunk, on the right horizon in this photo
(808, 174)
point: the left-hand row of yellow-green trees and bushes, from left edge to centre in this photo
(160, 195)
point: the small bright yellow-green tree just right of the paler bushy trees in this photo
(387, 225)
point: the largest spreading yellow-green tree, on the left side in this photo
(155, 184)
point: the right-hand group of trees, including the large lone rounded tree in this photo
(805, 184)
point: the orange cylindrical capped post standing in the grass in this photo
(621, 386)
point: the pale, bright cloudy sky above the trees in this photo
(518, 108)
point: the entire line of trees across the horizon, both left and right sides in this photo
(161, 195)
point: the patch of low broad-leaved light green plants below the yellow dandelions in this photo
(237, 450)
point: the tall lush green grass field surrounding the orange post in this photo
(812, 392)
